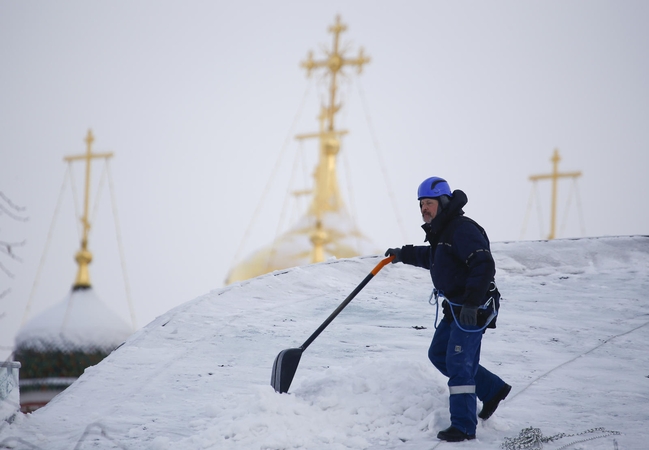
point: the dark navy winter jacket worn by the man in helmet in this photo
(459, 257)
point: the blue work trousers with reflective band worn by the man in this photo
(456, 354)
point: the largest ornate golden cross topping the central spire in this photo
(334, 63)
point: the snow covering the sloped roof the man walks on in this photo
(571, 340)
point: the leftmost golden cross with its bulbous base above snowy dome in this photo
(84, 256)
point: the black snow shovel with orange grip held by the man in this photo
(285, 364)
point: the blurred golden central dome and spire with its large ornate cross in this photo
(326, 229)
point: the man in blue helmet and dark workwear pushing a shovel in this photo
(463, 270)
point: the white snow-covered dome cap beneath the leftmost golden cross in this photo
(80, 322)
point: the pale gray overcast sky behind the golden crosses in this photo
(198, 99)
